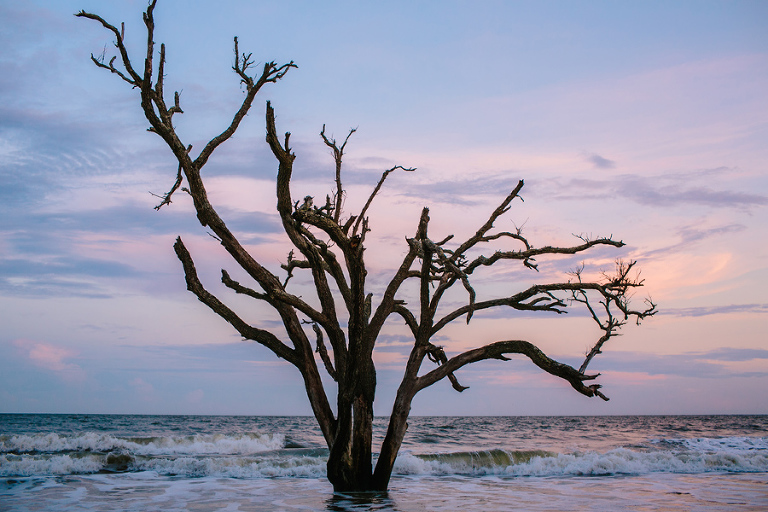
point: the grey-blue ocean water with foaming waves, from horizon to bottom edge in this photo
(467, 464)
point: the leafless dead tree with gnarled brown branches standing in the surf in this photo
(331, 246)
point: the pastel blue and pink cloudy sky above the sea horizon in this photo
(645, 121)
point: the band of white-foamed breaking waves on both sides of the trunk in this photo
(253, 455)
